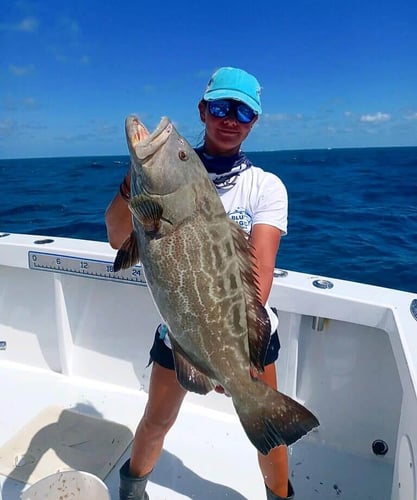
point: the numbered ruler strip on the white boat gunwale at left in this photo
(84, 267)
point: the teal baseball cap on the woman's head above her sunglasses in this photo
(234, 83)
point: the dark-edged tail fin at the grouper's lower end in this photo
(271, 418)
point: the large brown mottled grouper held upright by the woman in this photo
(201, 273)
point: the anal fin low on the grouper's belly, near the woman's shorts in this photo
(190, 377)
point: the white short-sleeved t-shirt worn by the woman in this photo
(254, 197)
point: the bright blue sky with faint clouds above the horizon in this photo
(333, 73)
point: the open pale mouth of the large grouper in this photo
(143, 144)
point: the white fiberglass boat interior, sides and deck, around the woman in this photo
(76, 336)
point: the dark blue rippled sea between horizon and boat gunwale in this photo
(352, 212)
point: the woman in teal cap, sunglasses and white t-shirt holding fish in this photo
(257, 201)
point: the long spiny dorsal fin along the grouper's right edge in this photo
(259, 327)
